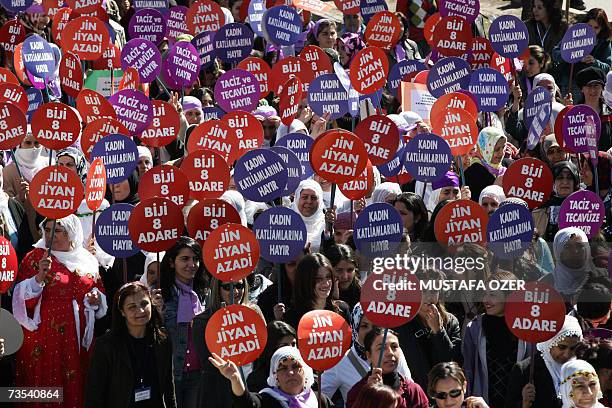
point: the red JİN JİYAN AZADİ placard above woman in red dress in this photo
(56, 192)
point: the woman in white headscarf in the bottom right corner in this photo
(580, 386)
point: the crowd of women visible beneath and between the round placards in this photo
(111, 342)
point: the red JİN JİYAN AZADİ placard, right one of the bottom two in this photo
(323, 339)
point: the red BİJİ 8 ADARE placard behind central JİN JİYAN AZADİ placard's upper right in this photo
(380, 137)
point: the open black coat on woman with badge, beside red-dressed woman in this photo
(110, 379)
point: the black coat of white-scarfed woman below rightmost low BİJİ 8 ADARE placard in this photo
(546, 397)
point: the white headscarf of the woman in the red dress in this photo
(78, 259)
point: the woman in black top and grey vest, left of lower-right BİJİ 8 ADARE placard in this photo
(490, 350)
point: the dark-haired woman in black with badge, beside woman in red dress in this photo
(132, 364)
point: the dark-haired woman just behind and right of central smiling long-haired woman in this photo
(346, 273)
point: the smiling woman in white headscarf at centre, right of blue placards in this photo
(308, 203)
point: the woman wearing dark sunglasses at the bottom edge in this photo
(447, 386)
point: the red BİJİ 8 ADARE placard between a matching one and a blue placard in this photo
(207, 172)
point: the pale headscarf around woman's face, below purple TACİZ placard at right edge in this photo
(568, 280)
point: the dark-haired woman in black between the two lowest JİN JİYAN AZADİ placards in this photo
(280, 334)
